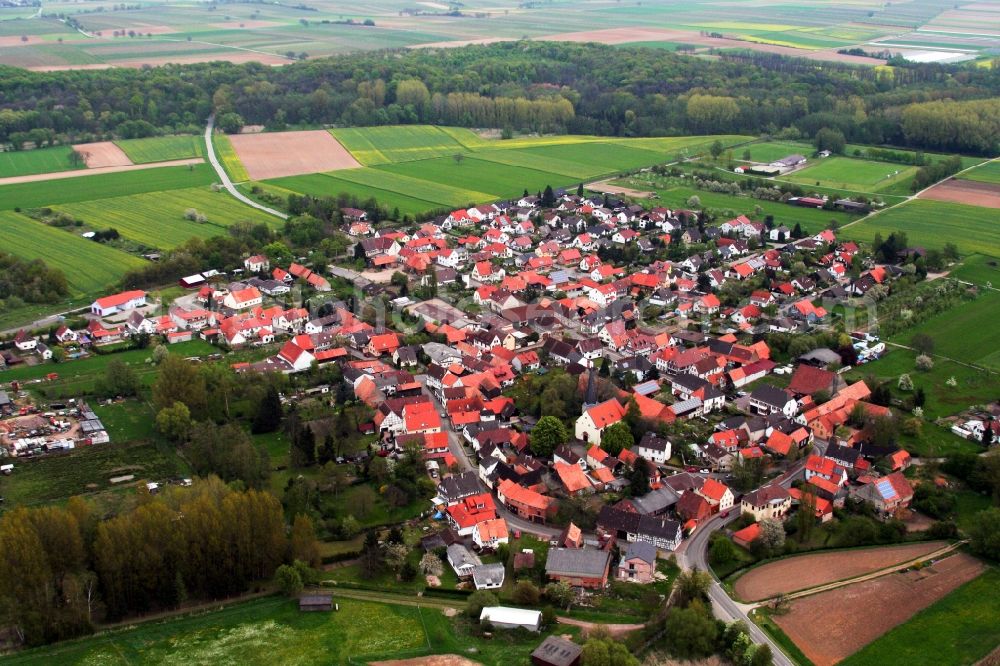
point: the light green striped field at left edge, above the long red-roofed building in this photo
(88, 266)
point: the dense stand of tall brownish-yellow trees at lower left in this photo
(65, 567)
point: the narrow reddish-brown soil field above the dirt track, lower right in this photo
(805, 571)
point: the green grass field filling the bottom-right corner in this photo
(961, 628)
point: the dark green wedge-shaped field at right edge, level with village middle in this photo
(967, 332)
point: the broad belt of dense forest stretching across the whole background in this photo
(520, 86)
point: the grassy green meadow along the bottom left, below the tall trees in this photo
(272, 630)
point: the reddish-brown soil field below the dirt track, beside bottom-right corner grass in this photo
(831, 626)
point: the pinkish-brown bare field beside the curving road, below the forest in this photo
(291, 153)
